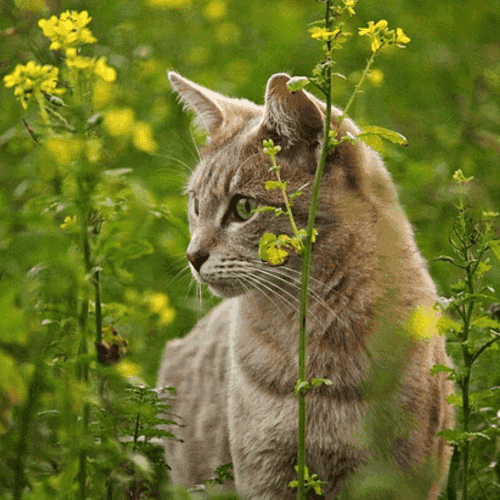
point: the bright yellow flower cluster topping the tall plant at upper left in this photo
(67, 31)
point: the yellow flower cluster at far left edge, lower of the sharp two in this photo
(32, 79)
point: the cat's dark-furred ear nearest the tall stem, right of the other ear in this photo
(293, 117)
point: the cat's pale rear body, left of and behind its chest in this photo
(196, 366)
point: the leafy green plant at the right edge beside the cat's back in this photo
(472, 332)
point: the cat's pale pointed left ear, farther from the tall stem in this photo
(206, 104)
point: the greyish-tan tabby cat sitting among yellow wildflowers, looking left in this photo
(235, 372)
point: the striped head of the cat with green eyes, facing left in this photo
(229, 183)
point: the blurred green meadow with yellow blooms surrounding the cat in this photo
(442, 91)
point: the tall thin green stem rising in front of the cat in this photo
(305, 273)
